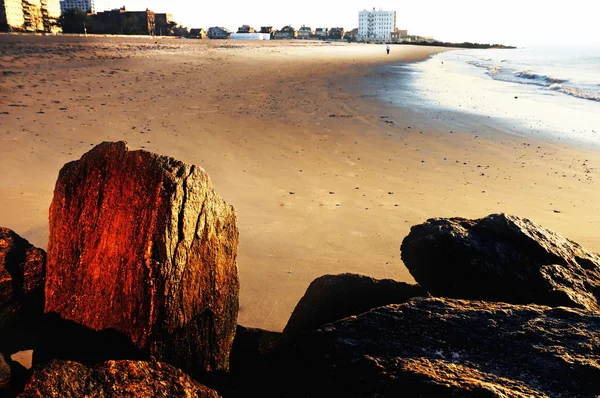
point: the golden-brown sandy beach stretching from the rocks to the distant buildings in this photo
(325, 179)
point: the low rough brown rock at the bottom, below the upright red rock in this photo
(113, 379)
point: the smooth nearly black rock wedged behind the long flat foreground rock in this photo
(333, 297)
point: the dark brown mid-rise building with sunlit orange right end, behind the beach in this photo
(121, 21)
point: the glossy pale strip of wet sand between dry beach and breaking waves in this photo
(537, 114)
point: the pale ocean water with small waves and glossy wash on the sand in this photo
(551, 92)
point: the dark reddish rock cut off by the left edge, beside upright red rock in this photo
(22, 275)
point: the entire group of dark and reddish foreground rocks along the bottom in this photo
(141, 299)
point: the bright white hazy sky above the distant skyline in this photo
(519, 22)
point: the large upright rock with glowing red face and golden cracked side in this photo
(142, 244)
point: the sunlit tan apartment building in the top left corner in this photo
(29, 15)
